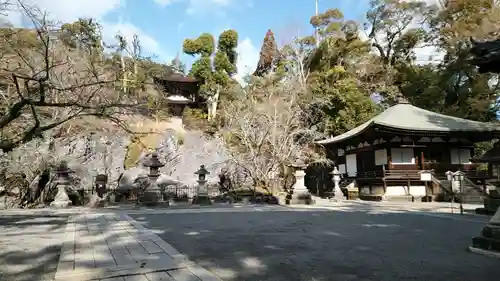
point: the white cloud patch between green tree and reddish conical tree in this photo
(248, 57)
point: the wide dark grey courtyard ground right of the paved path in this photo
(319, 245)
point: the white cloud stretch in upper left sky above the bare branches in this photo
(71, 10)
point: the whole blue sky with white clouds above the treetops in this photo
(162, 25)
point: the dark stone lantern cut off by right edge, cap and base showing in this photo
(487, 59)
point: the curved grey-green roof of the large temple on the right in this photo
(406, 117)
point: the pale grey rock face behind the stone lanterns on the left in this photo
(182, 152)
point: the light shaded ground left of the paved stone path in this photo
(30, 246)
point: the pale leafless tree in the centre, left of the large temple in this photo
(265, 130)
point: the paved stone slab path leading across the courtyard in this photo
(115, 247)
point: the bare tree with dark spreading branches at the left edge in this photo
(49, 84)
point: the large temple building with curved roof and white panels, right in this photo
(386, 155)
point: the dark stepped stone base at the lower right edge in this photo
(489, 241)
